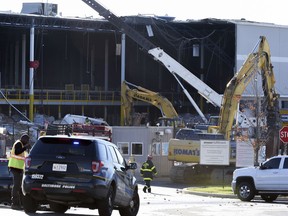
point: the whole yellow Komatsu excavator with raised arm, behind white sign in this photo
(187, 150)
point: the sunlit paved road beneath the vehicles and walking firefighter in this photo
(167, 199)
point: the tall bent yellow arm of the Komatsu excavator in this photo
(258, 62)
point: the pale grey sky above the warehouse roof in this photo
(255, 10)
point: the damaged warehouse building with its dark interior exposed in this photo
(78, 64)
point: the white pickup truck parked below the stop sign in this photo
(269, 180)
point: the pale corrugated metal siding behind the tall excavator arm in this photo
(248, 34)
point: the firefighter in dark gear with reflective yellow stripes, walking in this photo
(148, 170)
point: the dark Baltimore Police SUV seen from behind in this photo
(79, 171)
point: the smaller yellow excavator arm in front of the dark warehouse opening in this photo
(128, 95)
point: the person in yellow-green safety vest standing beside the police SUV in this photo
(16, 166)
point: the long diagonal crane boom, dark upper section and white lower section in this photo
(171, 64)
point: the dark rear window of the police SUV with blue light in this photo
(63, 146)
